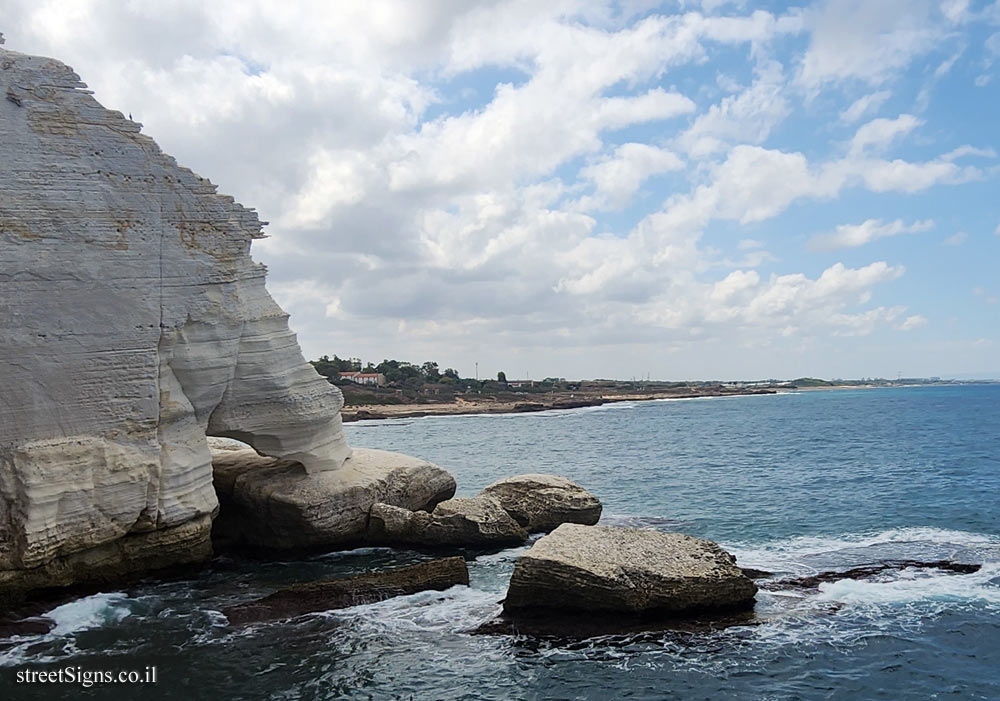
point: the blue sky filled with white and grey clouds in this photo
(684, 190)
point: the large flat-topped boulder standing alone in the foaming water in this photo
(609, 569)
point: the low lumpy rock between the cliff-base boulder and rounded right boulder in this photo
(478, 522)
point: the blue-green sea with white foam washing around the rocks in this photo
(793, 483)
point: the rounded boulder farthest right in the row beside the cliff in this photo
(540, 503)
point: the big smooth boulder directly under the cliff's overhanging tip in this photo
(275, 504)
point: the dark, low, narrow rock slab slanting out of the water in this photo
(351, 591)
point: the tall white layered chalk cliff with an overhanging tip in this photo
(133, 322)
